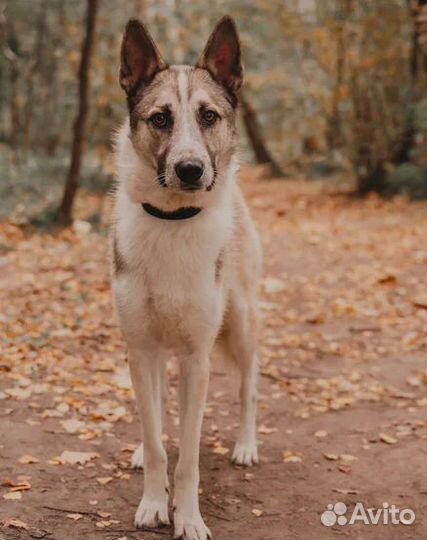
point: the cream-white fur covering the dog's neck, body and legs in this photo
(169, 297)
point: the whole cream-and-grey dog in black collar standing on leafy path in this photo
(186, 257)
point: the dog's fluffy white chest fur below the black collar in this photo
(169, 281)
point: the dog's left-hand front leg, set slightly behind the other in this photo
(145, 368)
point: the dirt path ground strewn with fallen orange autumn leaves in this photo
(342, 386)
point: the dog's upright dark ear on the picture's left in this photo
(140, 58)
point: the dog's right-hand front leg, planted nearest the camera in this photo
(193, 387)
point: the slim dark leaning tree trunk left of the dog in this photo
(65, 210)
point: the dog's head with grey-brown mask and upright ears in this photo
(182, 118)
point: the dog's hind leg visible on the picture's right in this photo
(240, 334)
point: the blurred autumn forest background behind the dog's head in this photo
(334, 89)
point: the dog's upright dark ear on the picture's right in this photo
(222, 56)
